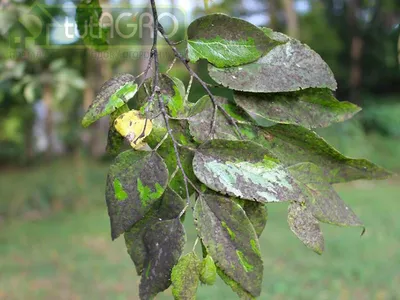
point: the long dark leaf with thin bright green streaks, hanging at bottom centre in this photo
(230, 240)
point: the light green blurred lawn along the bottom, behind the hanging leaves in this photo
(70, 256)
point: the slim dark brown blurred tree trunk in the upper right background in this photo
(356, 52)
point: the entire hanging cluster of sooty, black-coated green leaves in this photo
(230, 158)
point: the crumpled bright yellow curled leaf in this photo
(134, 127)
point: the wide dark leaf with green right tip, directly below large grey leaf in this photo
(310, 108)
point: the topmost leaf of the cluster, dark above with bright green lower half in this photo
(225, 41)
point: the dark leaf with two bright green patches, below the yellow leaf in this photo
(135, 181)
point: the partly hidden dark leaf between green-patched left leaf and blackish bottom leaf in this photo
(169, 207)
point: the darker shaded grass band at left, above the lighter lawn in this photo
(66, 184)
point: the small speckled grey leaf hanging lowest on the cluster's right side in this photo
(305, 226)
